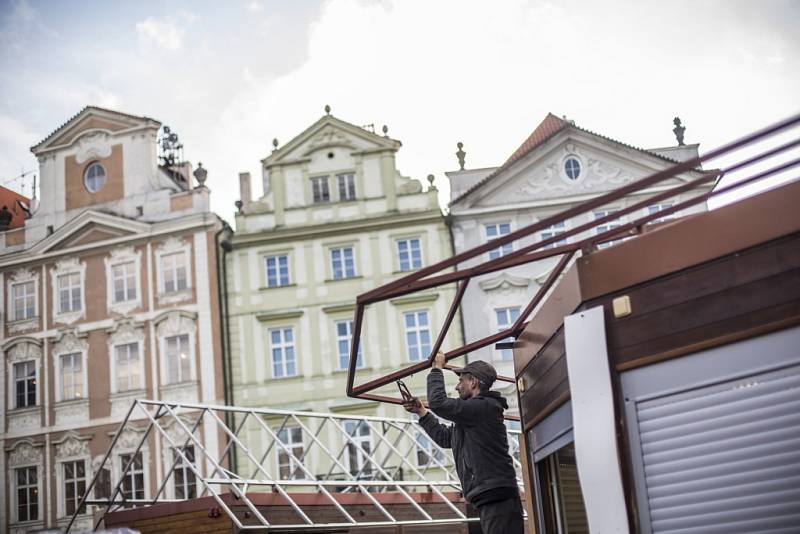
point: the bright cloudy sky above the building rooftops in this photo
(230, 76)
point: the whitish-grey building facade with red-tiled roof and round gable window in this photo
(558, 166)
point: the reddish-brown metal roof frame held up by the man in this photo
(769, 153)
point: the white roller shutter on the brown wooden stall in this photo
(724, 458)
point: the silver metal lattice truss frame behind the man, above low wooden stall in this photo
(281, 452)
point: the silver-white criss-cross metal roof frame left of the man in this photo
(386, 466)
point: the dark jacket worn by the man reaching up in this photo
(478, 437)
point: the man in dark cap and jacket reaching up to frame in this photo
(479, 442)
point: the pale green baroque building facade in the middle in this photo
(336, 219)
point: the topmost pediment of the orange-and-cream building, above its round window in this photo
(85, 127)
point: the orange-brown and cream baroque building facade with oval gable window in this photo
(110, 294)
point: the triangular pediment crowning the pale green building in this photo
(329, 132)
